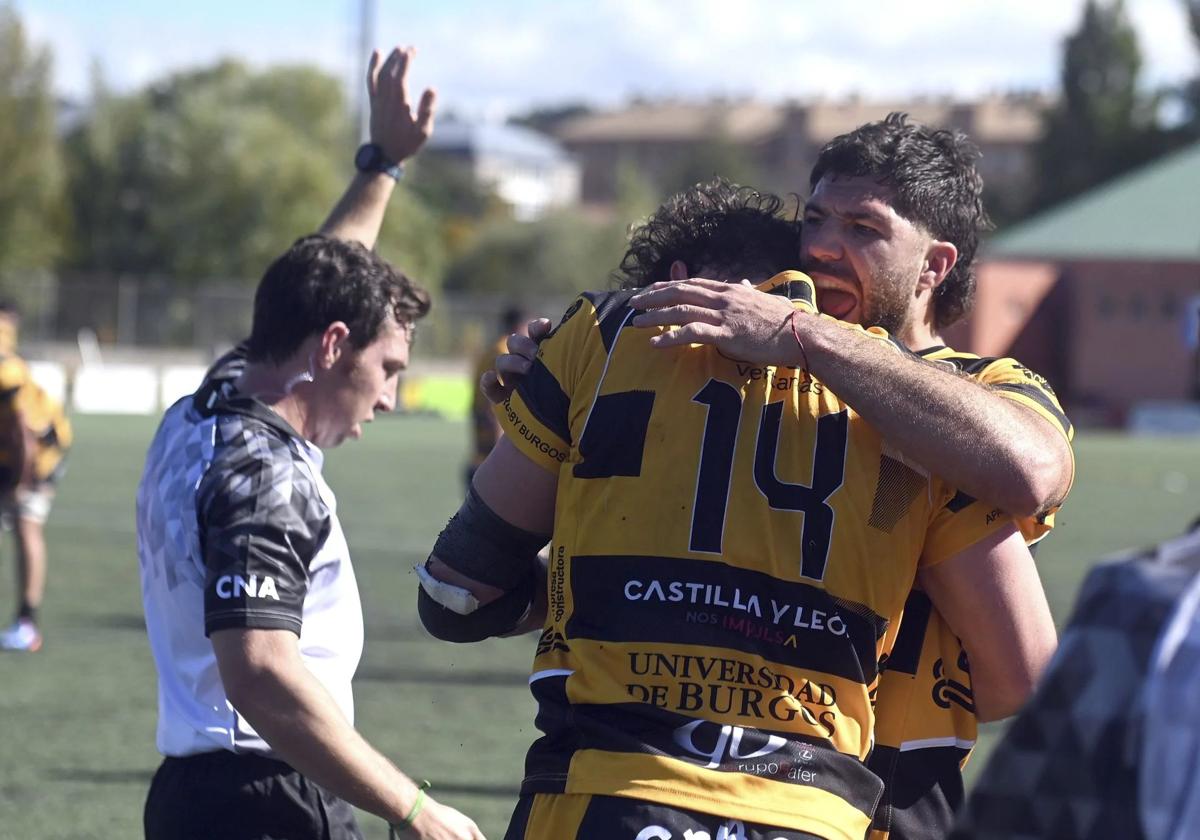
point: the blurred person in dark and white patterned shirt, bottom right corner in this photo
(1109, 747)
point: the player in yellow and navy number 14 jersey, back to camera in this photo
(731, 553)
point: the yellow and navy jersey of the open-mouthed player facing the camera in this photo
(926, 724)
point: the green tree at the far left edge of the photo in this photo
(32, 179)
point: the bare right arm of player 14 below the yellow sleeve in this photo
(993, 599)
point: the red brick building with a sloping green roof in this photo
(1102, 295)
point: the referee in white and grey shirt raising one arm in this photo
(251, 602)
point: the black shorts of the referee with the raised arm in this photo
(242, 797)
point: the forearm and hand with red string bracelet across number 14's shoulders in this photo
(979, 441)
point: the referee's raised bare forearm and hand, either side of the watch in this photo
(359, 214)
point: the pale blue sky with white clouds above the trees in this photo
(500, 57)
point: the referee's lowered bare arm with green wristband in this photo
(268, 683)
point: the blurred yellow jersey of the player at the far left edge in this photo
(44, 416)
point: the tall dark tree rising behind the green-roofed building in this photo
(1103, 125)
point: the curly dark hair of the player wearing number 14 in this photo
(717, 226)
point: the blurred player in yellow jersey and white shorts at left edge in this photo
(35, 437)
